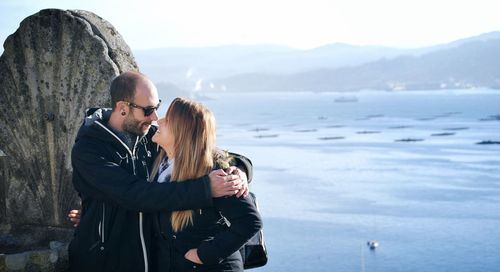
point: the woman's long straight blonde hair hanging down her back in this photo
(193, 127)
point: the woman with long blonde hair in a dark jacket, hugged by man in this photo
(200, 240)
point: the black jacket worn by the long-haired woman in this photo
(216, 239)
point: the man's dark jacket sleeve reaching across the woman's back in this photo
(96, 176)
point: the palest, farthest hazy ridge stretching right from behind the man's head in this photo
(182, 66)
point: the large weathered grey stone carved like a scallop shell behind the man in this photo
(57, 64)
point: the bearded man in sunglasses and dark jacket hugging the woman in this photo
(111, 159)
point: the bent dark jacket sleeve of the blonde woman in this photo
(245, 223)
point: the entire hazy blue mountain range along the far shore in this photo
(466, 63)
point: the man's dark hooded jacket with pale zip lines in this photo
(115, 230)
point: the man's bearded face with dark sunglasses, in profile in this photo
(136, 122)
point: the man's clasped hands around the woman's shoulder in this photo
(224, 184)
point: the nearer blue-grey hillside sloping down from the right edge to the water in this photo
(471, 64)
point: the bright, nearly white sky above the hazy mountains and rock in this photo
(302, 24)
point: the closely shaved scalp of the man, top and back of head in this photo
(123, 87)
